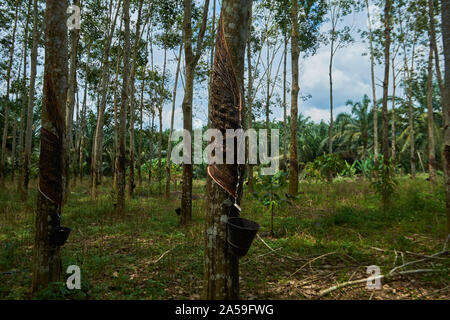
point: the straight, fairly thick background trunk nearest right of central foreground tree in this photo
(295, 53)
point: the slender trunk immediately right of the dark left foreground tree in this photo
(70, 105)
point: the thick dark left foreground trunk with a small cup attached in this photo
(47, 265)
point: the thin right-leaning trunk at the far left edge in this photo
(6, 111)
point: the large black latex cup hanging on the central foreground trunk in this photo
(241, 233)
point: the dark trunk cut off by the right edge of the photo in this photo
(446, 39)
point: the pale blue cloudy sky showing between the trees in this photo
(351, 78)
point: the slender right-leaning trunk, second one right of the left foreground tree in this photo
(98, 138)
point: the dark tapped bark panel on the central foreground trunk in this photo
(226, 113)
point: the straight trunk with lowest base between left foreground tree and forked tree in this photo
(120, 205)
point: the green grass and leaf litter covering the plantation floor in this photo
(330, 235)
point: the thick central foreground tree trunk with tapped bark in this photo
(221, 276)
